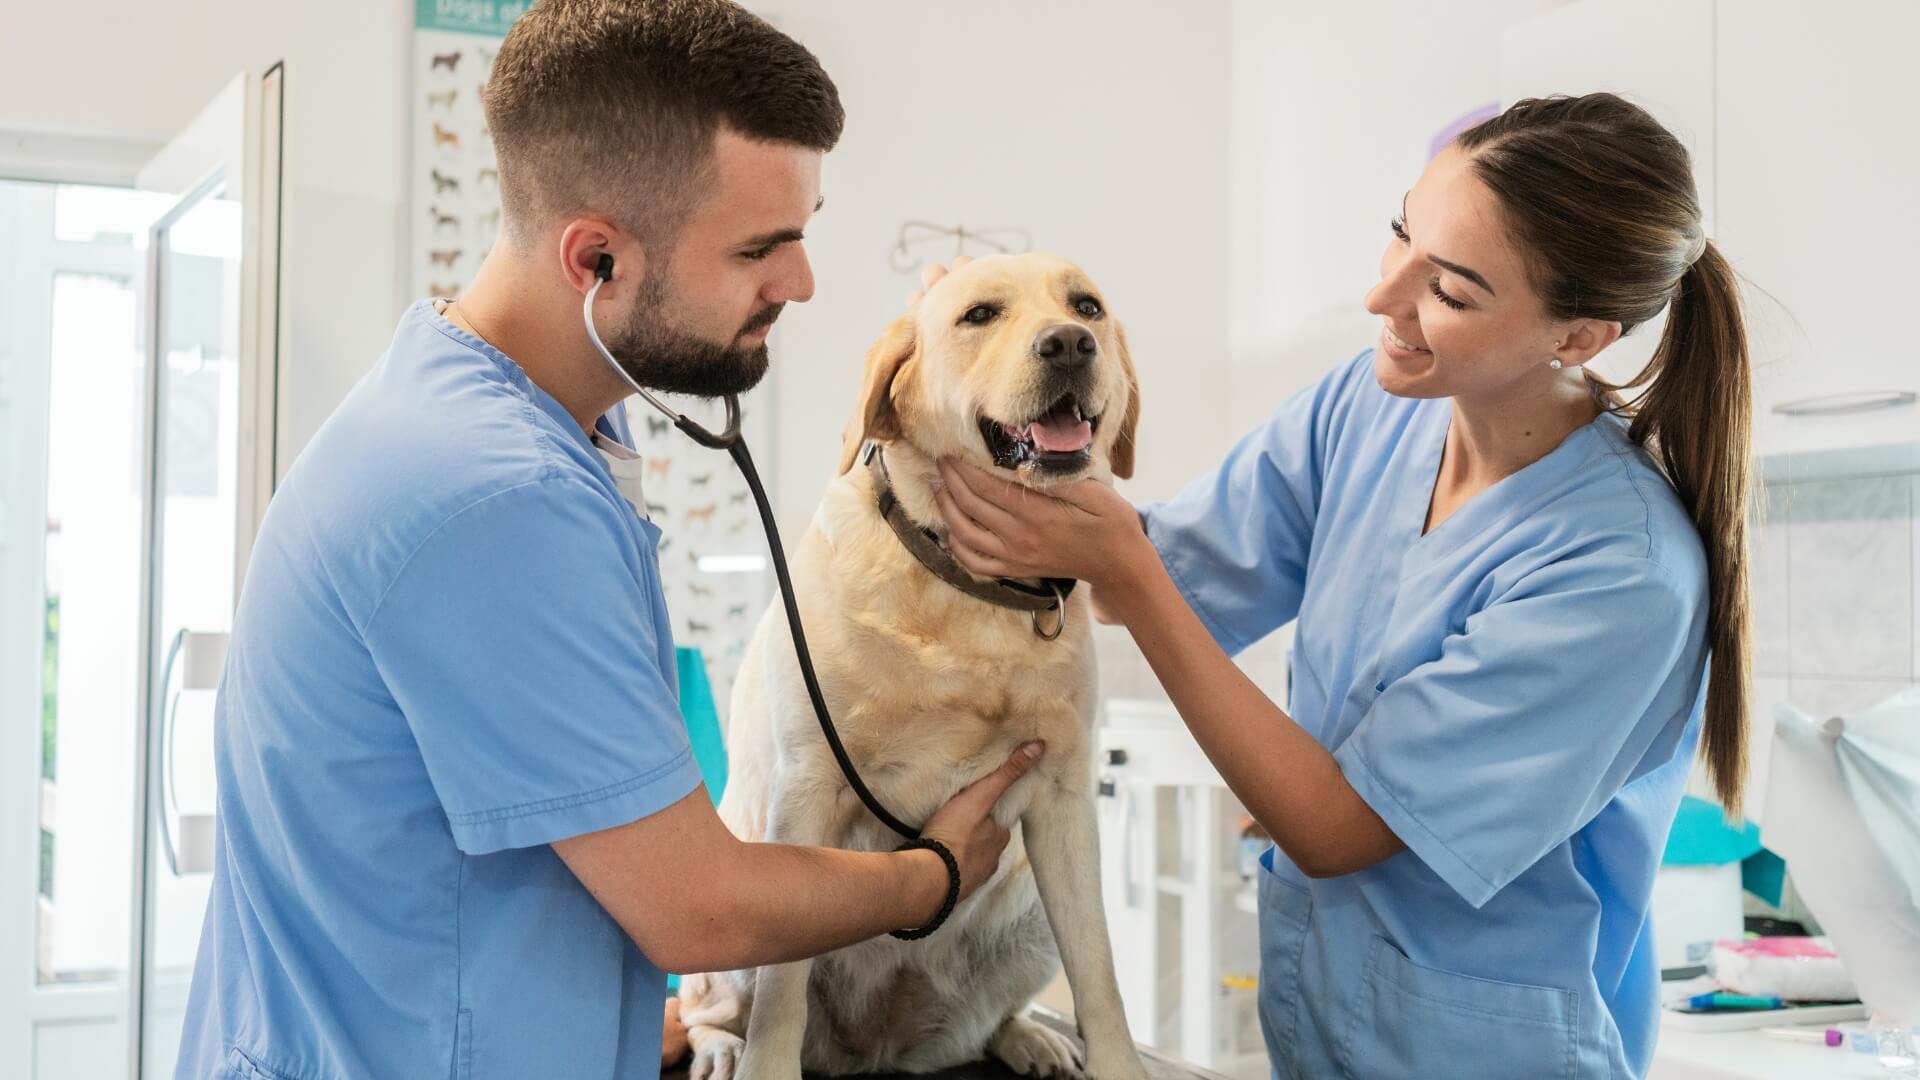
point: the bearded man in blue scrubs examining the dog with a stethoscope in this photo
(460, 823)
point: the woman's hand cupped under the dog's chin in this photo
(1084, 531)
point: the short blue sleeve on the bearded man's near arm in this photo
(537, 720)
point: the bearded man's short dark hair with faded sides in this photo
(612, 107)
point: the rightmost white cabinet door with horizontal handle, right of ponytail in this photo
(1819, 168)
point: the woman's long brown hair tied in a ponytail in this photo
(1602, 203)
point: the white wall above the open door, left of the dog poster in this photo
(139, 72)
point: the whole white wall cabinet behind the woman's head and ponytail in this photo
(1802, 120)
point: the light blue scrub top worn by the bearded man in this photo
(450, 652)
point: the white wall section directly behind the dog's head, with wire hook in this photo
(1097, 126)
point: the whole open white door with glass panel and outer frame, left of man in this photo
(208, 470)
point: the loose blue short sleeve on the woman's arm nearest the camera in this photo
(1527, 702)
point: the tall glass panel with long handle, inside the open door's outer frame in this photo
(193, 383)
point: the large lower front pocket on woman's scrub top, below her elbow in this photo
(1418, 1021)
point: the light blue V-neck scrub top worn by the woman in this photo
(1514, 693)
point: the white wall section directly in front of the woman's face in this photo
(1333, 110)
